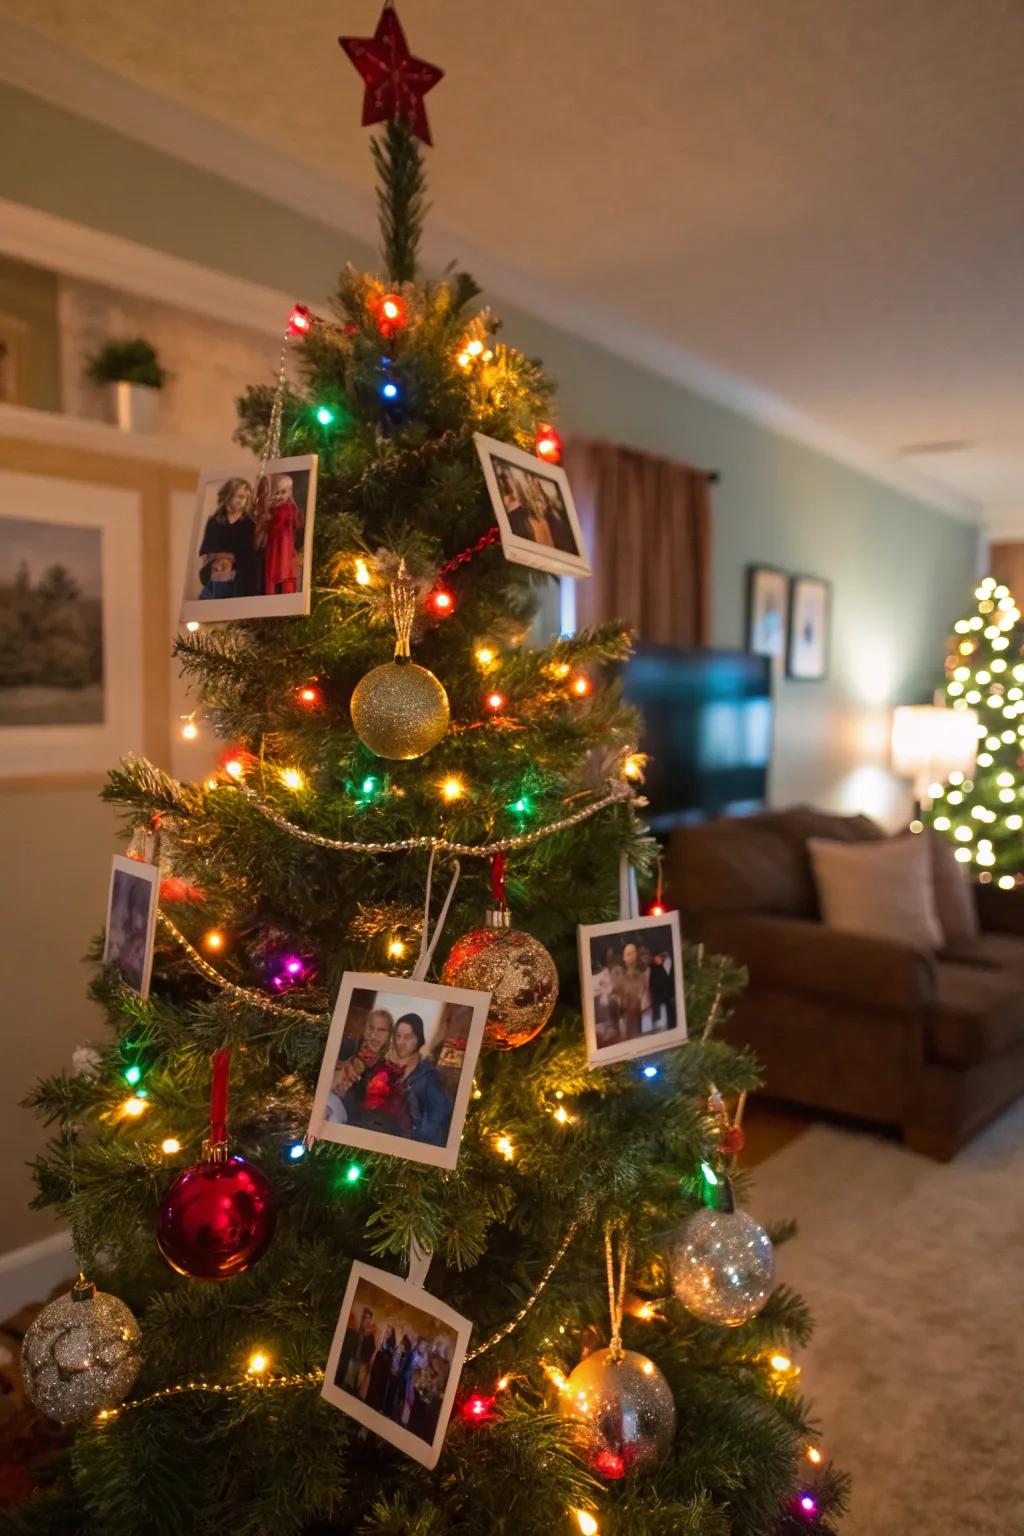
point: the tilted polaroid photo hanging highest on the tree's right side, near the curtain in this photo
(535, 509)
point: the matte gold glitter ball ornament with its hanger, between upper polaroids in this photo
(400, 710)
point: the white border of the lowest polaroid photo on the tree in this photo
(421, 1451)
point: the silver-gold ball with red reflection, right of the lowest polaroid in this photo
(629, 1406)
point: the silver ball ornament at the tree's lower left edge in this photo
(81, 1356)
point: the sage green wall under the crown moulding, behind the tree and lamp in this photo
(900, 571)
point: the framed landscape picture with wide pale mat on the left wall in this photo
(70, 626)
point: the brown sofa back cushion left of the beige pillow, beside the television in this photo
(738, 866)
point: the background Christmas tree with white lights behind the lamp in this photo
(985, 674)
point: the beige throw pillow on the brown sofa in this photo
(882, 890)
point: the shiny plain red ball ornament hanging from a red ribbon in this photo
(217, 1219)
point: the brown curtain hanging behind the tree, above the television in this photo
(647, 529)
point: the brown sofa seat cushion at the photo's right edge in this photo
(977, 1015)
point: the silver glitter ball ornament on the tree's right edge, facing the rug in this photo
(722, 1266)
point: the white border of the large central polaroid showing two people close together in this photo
(377, 1140)
